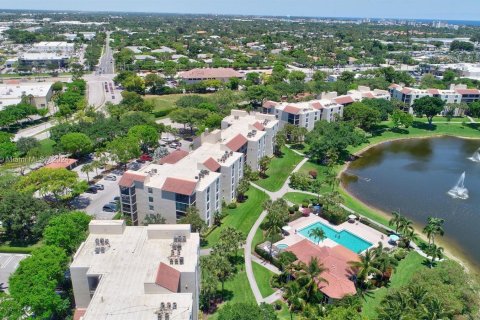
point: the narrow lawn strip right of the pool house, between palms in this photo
(404, 272)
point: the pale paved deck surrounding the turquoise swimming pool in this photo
(359, 229)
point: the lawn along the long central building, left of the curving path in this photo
(241, 218)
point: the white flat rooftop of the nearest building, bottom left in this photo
(131, 260)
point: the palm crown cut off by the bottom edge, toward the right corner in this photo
(413, 303)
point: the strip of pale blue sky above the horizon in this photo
(427, 9)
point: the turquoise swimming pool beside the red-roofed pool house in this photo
(344, 237)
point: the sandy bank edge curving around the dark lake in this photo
(452, 251)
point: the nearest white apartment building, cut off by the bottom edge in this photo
(142, 273)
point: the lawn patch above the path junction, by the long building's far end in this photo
(279, 170)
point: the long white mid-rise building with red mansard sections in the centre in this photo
(202, 178)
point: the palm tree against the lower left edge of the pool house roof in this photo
(309, 277)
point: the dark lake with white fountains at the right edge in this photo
(413, 176)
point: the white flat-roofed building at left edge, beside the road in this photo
(38, 94)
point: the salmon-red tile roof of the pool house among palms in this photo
(335, 260)
